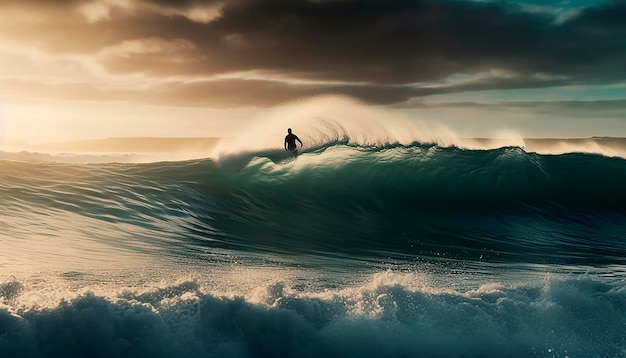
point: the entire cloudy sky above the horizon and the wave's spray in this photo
(72, 69)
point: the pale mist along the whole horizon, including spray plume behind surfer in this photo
(319, 122)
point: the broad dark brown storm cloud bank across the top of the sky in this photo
(380, 50)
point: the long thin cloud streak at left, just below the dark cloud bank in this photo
(224, 93)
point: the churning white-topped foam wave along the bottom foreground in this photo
(391, 314)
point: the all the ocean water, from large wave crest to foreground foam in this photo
(350, 250)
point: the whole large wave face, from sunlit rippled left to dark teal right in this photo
(412, 201)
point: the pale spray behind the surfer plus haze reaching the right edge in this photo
(325, 120)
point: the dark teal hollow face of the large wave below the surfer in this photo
(504, 204)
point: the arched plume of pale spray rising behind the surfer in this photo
(324, 120)
